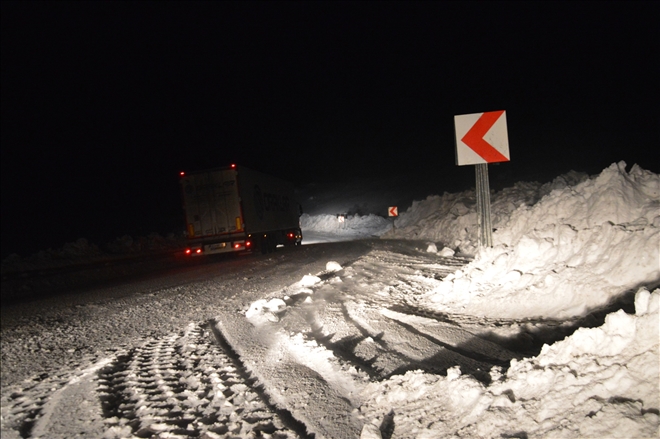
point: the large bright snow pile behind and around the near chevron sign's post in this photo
(562, 254)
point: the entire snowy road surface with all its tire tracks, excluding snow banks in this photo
(277, 345)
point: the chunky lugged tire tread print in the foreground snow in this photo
(185, 385)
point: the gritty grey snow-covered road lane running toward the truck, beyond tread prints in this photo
(52, 341)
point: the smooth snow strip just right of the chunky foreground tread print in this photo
(298, 377)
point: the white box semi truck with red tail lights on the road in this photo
(236, 209)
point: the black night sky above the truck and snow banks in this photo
(103, 103)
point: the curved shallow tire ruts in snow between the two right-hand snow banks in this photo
(348, 314)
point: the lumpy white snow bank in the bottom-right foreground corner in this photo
(599, 382)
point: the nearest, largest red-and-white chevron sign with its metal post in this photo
(482, 138)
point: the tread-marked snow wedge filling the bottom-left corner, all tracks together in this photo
(185, 385)
